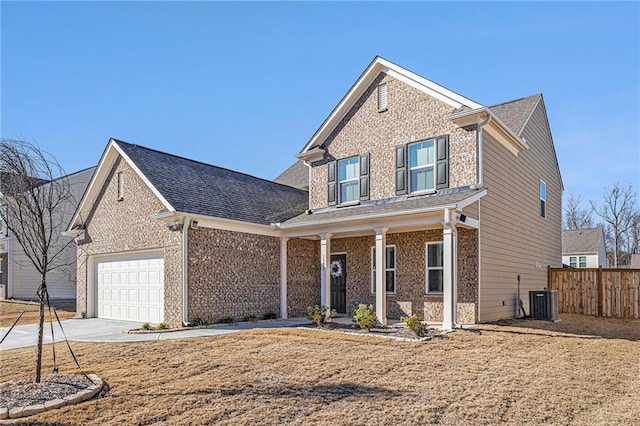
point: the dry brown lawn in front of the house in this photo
(579, 371)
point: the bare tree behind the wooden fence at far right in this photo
(619, 213)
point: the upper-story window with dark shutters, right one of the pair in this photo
(422, 166)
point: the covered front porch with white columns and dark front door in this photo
(440, 287)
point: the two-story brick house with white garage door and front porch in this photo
(420, 201)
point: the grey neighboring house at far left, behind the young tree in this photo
(19, 277)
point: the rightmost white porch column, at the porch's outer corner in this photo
(449, 279)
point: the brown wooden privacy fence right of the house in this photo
(597, 291)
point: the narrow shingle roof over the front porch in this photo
(383, 207)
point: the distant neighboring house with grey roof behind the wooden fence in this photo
(584, 248)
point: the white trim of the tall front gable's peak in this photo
(377, 66)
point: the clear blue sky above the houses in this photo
(245, 85)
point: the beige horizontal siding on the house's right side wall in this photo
(514, 238)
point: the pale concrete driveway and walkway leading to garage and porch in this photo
(105, 330)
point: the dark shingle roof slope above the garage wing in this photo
(198, 188)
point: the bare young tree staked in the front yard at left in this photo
(35, 197)
